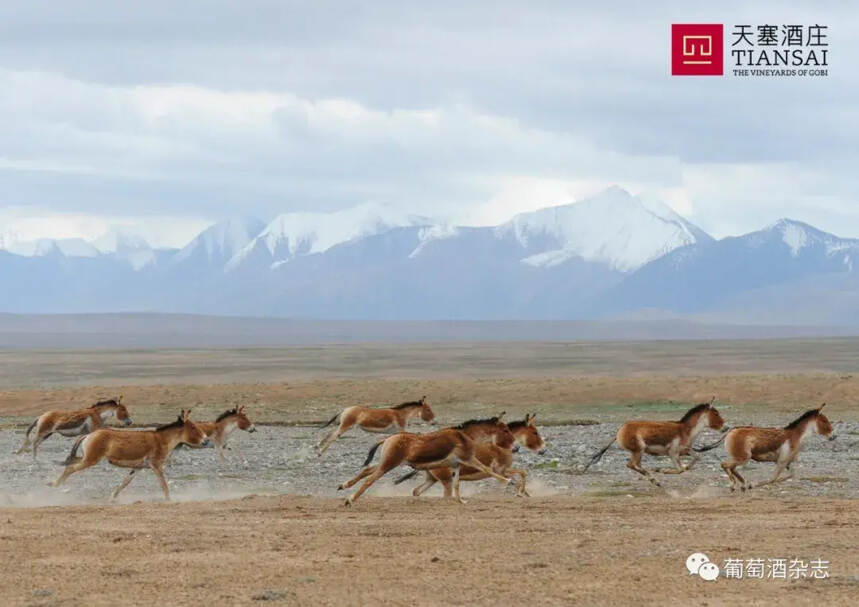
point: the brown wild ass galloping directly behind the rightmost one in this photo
(664, 438)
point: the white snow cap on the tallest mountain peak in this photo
(613, 227)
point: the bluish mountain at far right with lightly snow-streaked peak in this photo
(790, 260)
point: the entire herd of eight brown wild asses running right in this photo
(473, 450)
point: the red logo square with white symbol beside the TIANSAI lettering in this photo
(697, 49)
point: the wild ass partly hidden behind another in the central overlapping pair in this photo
(497, 458)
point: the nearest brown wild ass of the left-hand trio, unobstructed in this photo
(133, 449)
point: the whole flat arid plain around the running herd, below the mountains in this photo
(590, 541)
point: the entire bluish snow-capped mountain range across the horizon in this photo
(612, 255)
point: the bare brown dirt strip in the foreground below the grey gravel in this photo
(402, 551)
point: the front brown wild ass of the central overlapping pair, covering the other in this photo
(448, 447)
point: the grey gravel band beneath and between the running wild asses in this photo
(282, 460)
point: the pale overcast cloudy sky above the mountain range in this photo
(169, 116)
